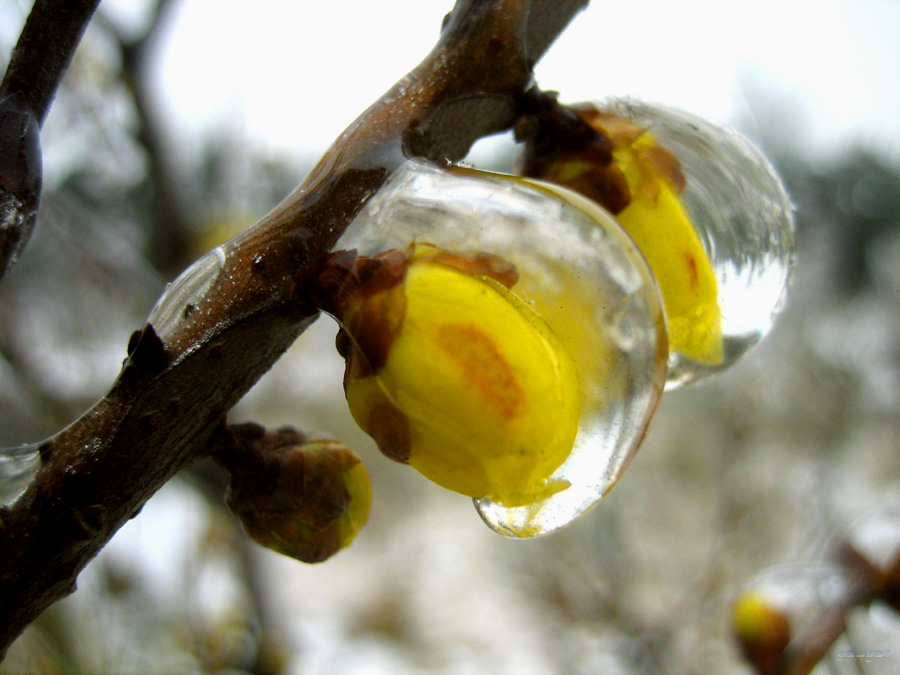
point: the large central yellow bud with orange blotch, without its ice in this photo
(476, 392)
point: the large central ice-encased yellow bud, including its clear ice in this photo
(504, 301)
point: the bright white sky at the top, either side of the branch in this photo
(292, 75)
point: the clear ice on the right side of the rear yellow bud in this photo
(744, 217)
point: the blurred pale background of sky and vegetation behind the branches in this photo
(182, 121)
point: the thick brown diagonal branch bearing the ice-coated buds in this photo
(173, 392)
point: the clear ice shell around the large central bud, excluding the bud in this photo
(584, 277)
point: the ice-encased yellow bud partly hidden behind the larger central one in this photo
(708, 212)
